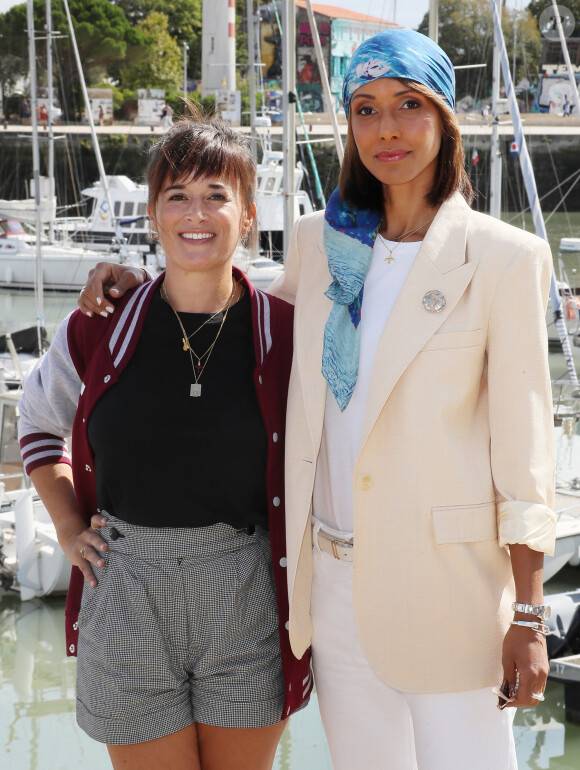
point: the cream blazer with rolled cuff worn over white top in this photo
(456, 454)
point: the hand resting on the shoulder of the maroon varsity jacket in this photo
(107, 278)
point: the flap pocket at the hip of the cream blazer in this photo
(465, 523)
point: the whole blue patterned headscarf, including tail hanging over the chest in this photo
(349, 233)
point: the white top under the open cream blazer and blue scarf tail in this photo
(333, 485)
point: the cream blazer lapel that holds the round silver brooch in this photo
(439, 265)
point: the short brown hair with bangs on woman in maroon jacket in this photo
(200, 146)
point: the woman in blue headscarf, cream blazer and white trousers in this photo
(419, 483)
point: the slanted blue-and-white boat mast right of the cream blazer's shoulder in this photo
(531, 189)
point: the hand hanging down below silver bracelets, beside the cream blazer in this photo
(525, 653)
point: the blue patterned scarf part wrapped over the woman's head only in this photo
(400, 53)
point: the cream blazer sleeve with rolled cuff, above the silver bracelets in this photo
(520, 401)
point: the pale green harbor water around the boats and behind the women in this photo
(38, 730)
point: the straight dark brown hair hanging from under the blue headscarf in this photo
(358, 187)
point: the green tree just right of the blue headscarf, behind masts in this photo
(466, 34)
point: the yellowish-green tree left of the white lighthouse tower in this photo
(162, 67)
